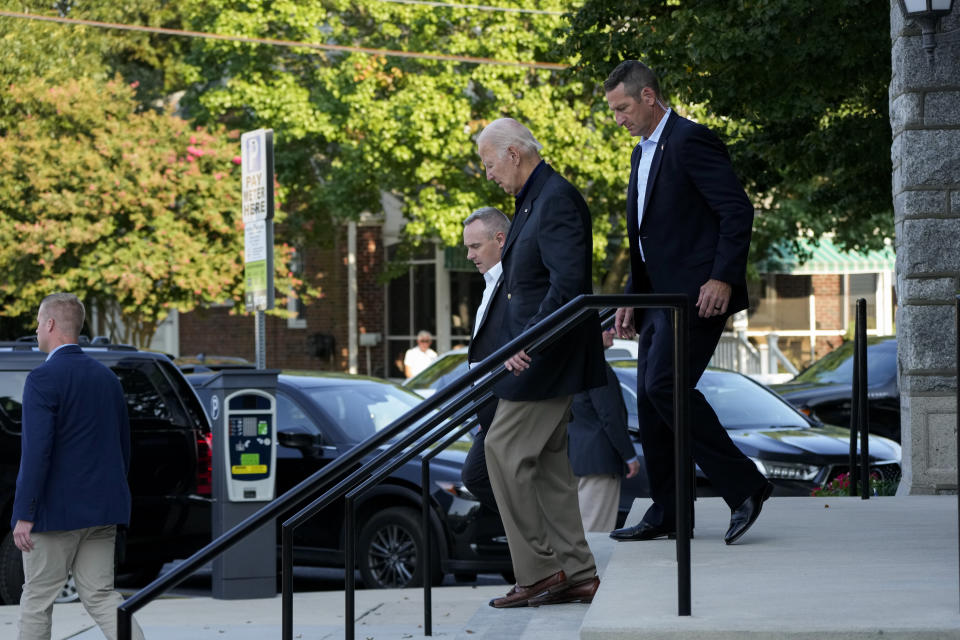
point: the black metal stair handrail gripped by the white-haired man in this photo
(428, 415)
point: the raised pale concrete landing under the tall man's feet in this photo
(809, 568)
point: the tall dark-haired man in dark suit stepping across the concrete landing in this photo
(689, 223)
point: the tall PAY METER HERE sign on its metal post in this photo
(257, 160)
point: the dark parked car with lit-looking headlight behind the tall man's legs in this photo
(797, 454)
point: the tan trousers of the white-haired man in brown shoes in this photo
(526, 450)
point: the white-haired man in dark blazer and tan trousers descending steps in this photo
(547, 261)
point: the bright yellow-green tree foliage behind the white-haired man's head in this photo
(350, 125)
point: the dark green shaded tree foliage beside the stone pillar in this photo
(797, 87)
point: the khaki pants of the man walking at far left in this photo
(88, 553)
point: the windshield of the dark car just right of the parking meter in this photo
(363, 408)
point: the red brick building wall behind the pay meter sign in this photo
(214, 331)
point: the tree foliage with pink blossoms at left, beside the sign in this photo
(135, 210)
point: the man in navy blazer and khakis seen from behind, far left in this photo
(72, 487)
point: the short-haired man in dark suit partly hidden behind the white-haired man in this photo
(484, 234)
